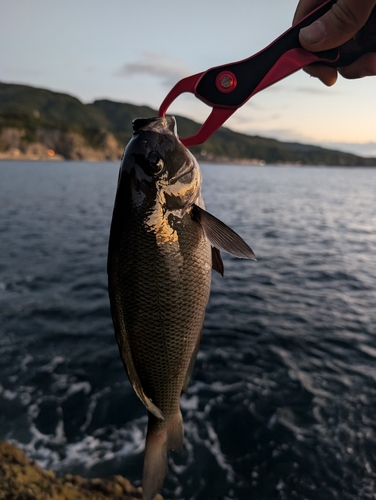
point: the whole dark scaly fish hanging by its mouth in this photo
(162, 247)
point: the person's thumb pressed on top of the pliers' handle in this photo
(337, 26)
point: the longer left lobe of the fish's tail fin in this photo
(155, 462)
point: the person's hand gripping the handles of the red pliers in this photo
(350, 24)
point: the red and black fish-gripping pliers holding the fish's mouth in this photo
(226, 88)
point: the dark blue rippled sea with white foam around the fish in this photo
(283, 397)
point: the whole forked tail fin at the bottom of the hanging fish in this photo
(161, 436)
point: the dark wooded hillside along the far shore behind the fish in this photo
(40, 123)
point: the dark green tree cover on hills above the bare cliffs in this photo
(30, 110)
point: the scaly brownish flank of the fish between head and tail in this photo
(153, 290)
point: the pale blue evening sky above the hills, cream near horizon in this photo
(135, 51)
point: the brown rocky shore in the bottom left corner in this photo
(23, 479)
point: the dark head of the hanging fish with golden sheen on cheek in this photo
(159, 167)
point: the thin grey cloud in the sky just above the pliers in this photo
(153, 64)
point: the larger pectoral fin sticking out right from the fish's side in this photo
(222, 236)
